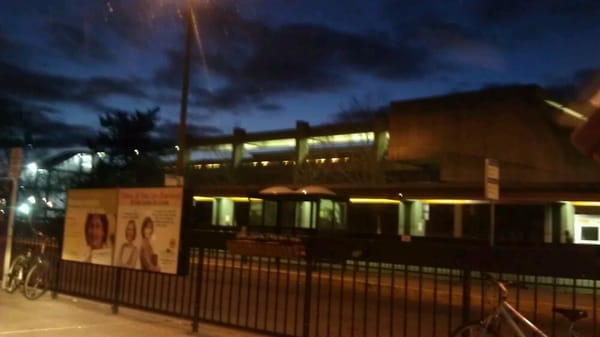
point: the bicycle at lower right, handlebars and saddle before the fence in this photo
(506, 313)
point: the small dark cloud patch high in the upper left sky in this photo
(79, 43)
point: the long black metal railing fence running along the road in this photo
(350, 286)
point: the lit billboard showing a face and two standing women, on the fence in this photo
(137, 228)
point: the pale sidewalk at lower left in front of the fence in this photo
(67, 316)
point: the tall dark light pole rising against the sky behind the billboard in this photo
(182, 150)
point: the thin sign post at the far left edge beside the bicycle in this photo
(14, 171)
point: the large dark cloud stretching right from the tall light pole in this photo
(256, 62)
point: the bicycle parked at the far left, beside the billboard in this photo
(30, 272)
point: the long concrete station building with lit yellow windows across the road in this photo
(417, 171)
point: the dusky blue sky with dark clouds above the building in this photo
(263, 64)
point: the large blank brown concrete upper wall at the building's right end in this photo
(513, 125)
